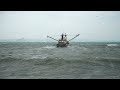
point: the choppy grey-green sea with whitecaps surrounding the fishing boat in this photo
(40, 60)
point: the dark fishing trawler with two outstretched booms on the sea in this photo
(63, 42)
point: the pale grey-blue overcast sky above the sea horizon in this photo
(91, 25)
